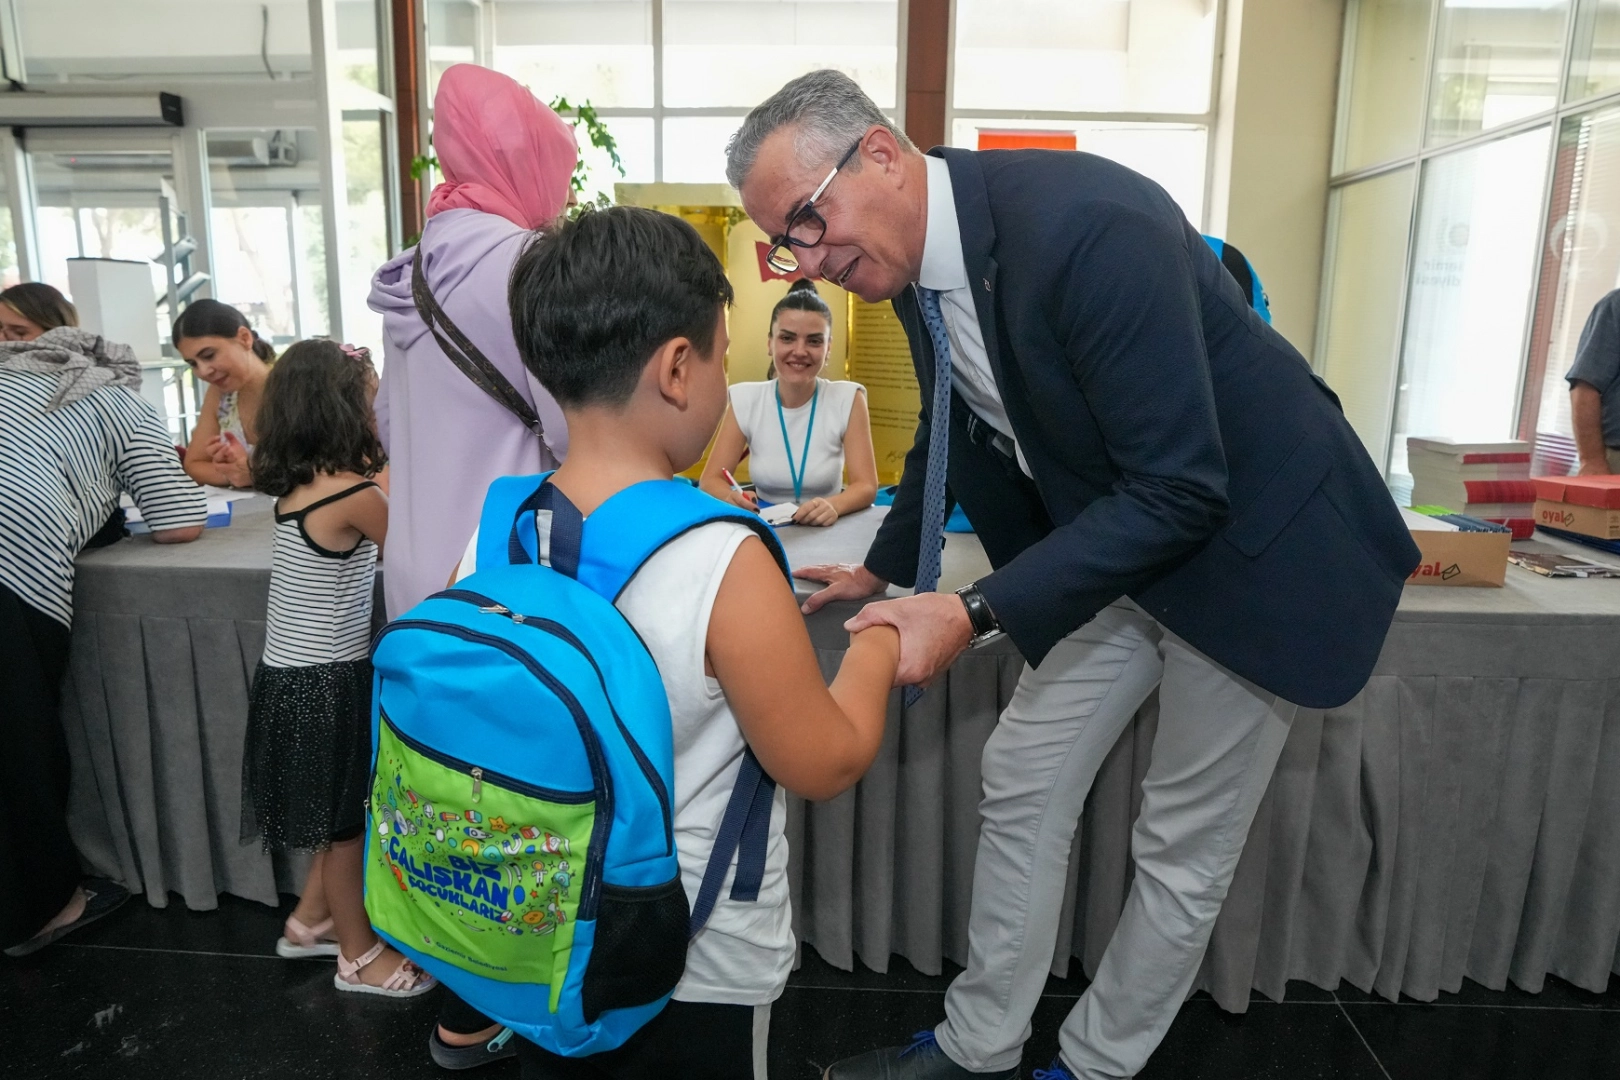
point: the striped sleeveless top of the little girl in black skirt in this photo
(320, 600)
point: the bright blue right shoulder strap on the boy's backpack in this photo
(641, 521)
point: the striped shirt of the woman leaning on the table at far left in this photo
(61, 475)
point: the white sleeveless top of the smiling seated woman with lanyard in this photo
(754, 404)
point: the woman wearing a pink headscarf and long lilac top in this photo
(506, 161)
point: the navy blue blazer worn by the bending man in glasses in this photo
(1183, 453)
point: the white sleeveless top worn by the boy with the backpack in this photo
(746, 951)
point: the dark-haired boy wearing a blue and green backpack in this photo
(621, 315)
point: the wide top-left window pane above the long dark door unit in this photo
(96, 41)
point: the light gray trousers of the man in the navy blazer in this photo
(1219, 739)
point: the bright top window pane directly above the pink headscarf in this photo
(599, 53)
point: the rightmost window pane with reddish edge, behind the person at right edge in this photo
(1580, 265)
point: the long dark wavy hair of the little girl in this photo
(317, 419)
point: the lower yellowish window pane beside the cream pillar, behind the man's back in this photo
(1370, 223)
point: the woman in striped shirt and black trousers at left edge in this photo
(74, 433)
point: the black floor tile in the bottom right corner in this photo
(1491, 1044)
